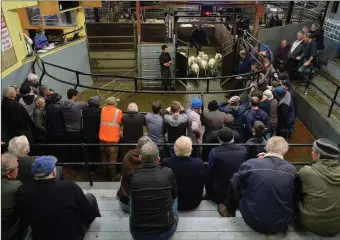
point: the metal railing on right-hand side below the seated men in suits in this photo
(333, 98)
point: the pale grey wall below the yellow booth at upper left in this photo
(74, 57)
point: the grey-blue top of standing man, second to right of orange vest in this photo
(155, 126)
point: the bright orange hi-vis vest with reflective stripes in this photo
(110, 120)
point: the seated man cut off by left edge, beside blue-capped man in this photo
(10, 228)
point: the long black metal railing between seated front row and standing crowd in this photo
(87, 164)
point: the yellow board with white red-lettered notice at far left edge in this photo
(8, 57)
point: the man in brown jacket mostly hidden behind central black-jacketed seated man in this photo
(130, 162)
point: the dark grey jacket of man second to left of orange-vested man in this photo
(73, 115)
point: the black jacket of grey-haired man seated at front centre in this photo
(152, 190)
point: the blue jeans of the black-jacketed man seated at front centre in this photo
(161, 236)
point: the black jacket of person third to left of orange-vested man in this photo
(55, 120)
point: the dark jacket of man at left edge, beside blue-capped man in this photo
(9, 214)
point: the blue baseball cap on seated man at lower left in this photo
(43, 166)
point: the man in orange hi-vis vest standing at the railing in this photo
(109, 132)
